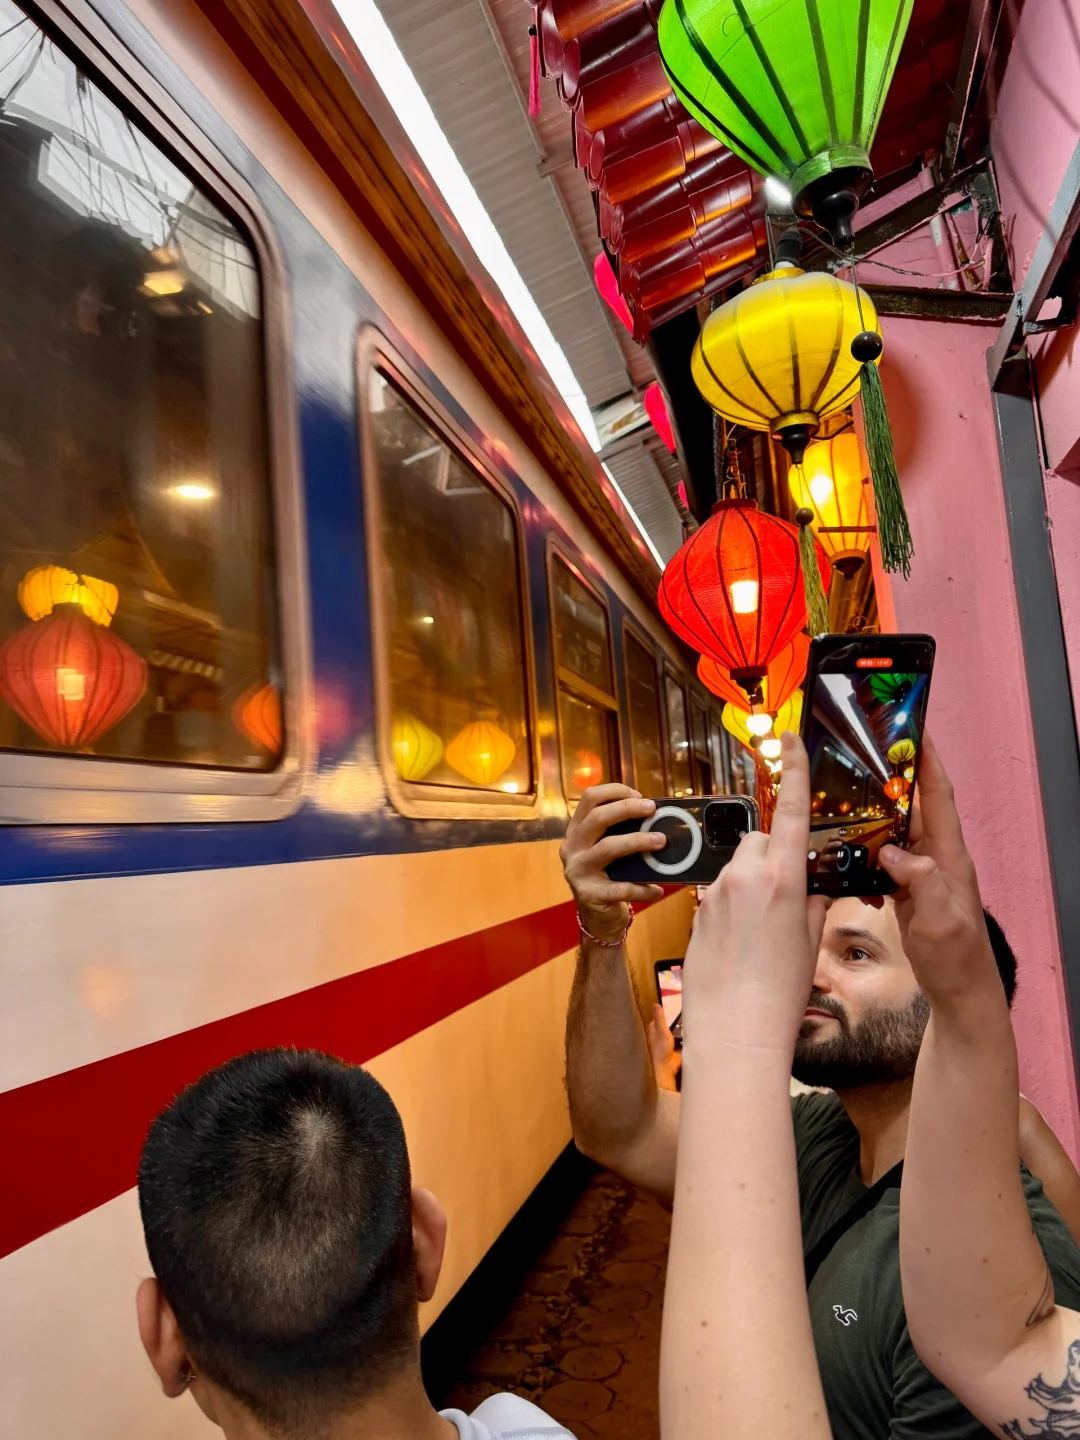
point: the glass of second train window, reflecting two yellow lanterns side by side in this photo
(453, 610)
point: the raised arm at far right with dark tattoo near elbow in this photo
(978, 1292)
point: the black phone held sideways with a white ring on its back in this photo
(702, 836)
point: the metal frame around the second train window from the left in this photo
(410, 798)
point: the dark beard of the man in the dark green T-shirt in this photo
(882, 1048)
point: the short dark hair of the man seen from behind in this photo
(276, 1200)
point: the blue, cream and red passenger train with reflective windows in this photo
(316, 618)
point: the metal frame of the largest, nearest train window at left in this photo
(70, 790)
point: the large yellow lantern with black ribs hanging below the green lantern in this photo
(778, 356)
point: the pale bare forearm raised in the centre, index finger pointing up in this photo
(738, 1351)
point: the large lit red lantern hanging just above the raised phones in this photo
(735, 590)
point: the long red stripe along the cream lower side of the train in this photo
(73, 1141)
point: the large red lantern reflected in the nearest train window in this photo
(70, 679)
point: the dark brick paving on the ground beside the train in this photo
(582, 1338)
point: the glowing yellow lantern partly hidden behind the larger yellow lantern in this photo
(833, 483)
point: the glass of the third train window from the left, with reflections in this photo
(588, 709)
